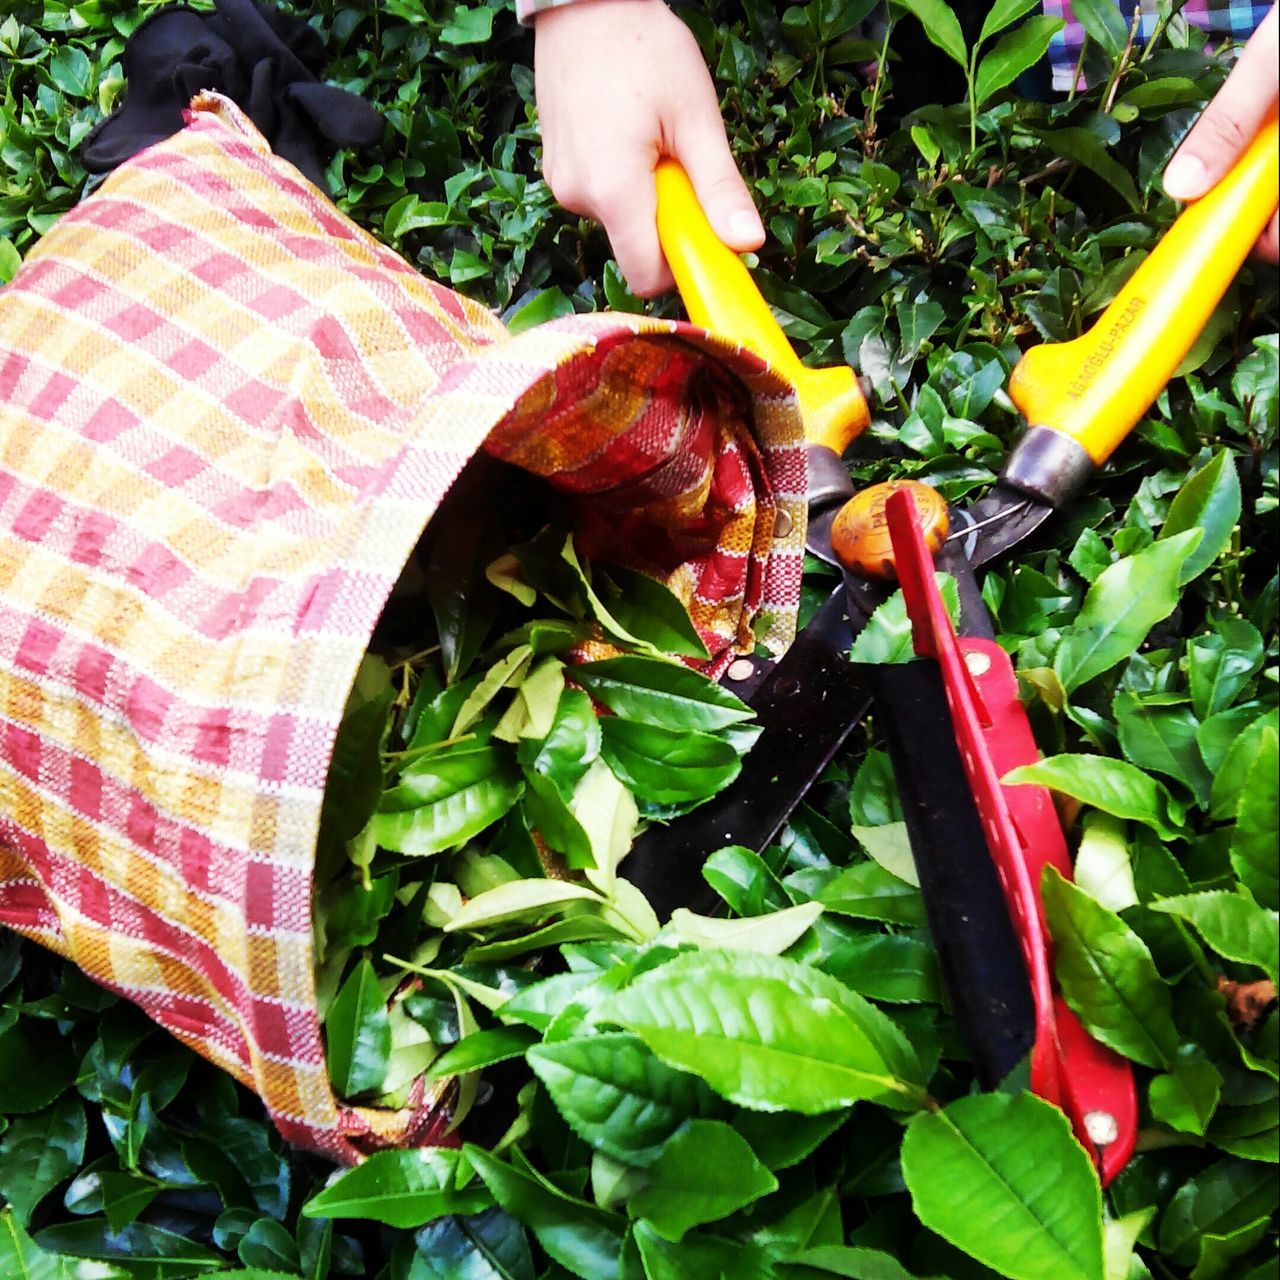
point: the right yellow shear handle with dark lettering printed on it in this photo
(1096, 388)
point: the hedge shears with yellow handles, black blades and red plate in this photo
(953, 720)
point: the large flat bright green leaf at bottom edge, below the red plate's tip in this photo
(1009, 1160)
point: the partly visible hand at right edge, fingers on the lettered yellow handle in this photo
(1229, 125)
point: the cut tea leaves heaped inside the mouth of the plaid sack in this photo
(488, 781)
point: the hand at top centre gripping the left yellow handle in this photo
(620, 85)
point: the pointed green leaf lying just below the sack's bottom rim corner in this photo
(400, 1188)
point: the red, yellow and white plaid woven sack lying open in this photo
(226, 418)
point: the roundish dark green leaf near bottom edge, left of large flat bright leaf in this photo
(703, 1173)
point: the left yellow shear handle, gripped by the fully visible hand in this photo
(721, 296)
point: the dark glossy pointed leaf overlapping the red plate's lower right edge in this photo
(1108, 976)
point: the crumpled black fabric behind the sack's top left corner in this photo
(266, 61)
